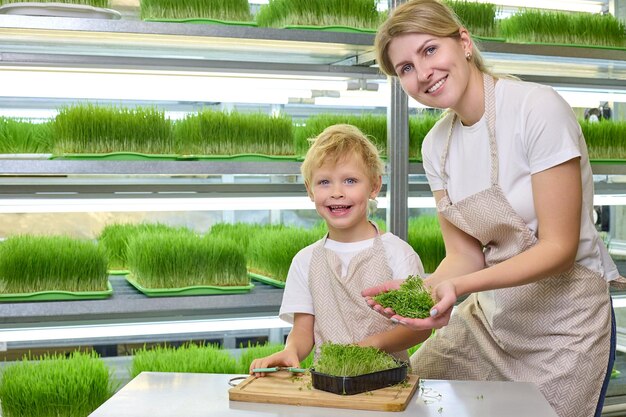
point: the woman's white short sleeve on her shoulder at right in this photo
(551, 130)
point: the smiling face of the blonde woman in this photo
(432, 70)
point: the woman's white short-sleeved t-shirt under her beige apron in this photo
(535, 130)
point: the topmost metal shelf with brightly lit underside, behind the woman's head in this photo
(132, 44)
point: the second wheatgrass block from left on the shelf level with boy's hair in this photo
(88, 128)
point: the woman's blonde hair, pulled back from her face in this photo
(430, 17)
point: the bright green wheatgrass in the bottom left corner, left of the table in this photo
(55, 385)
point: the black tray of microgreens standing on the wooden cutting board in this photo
(347, 369)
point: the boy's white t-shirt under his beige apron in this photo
(401, 257)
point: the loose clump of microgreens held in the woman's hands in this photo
(412, 300)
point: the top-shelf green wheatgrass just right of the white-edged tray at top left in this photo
(228, 10)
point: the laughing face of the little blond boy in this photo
(341, 193)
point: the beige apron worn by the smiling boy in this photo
(341, 314)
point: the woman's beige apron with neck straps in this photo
(554, 332)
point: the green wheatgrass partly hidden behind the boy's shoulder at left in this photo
(270, 252)
